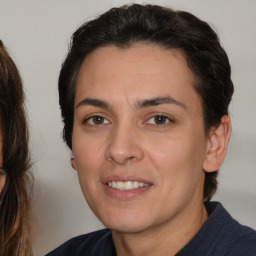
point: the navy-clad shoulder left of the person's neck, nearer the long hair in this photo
(91, 243)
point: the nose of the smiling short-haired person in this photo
(124, 145)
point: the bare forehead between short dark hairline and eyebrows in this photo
(142, 70)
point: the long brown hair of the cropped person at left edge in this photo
(15, 196)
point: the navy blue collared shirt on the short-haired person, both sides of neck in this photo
(220, 235)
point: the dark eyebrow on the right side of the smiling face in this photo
(158, 101)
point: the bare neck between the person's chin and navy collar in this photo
(165, 239)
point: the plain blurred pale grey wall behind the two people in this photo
(37, 35)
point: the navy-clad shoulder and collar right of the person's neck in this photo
(221, 235)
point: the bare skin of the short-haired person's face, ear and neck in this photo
(121, 132)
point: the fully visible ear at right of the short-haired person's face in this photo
(217, 145)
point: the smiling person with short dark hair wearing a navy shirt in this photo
(144, 94)
